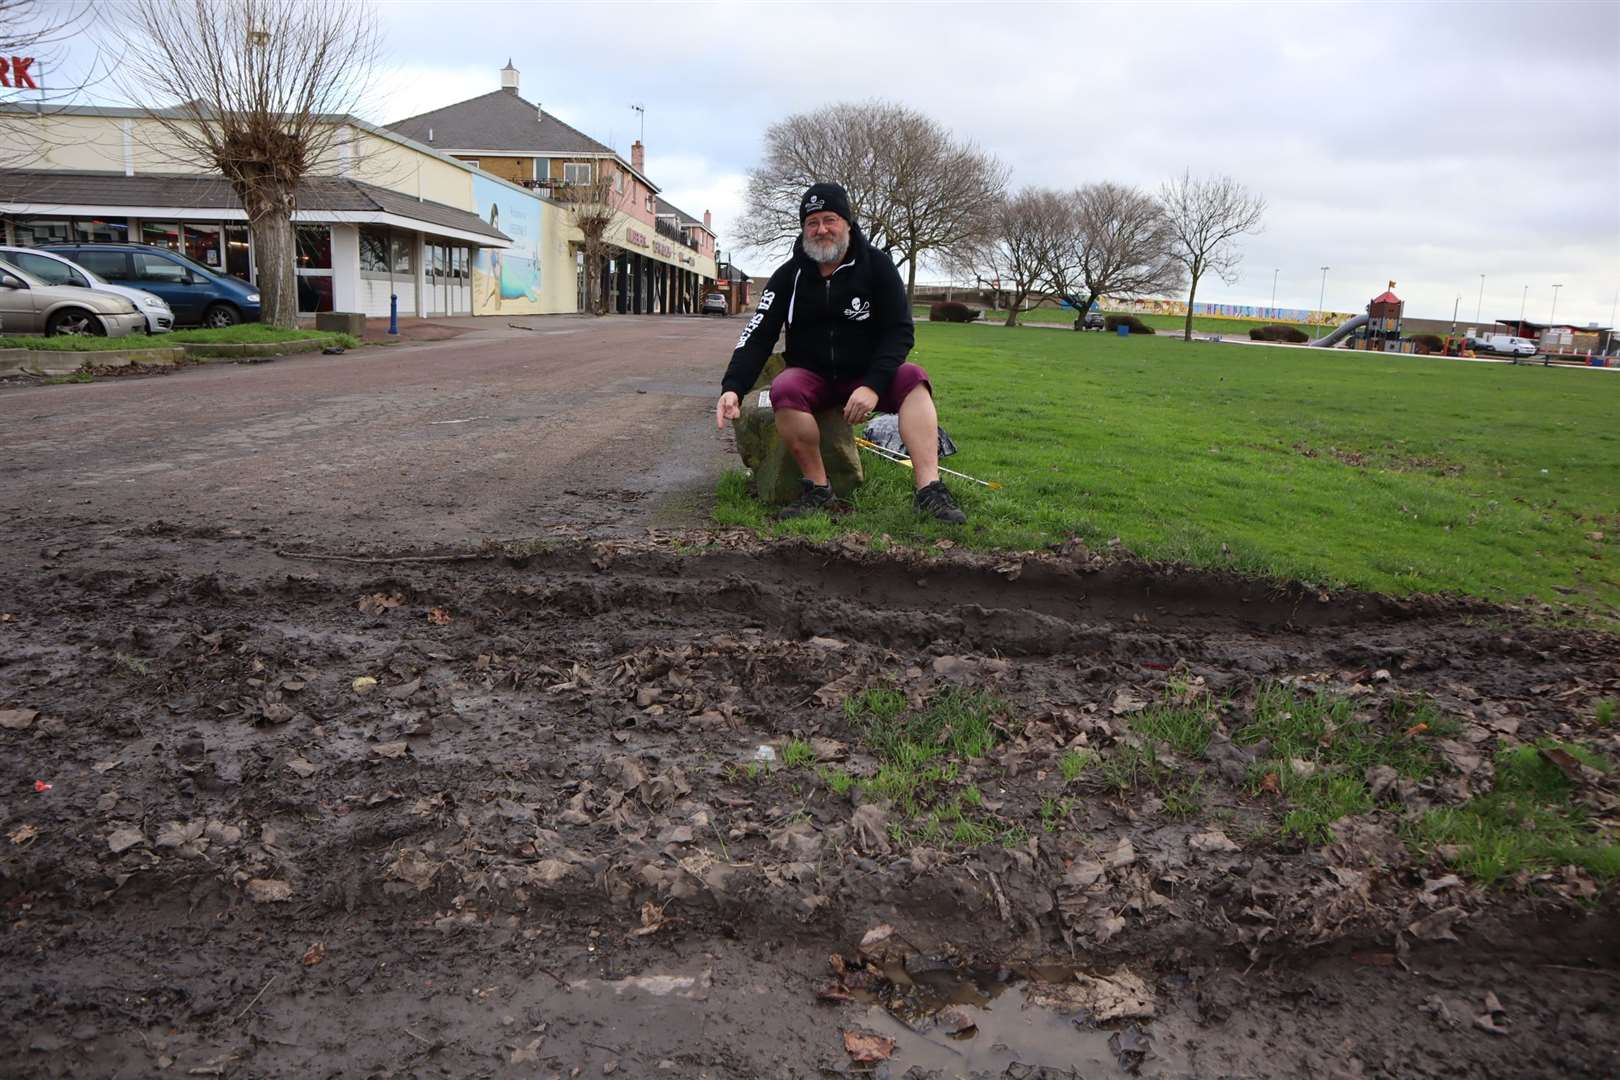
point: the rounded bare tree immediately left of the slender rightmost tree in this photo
(1112, 242)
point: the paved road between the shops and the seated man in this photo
(603, 425)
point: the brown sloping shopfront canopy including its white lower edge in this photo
(192, 197)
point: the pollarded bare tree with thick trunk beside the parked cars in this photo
(262, 91)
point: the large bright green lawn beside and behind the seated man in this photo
(1392, 474)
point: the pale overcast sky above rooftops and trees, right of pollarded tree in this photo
(1417, 143)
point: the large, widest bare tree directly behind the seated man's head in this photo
(913, 187)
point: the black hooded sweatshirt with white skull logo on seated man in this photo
(855, 325)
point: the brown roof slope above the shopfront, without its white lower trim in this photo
(211, 193)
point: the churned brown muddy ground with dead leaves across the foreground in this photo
(540, 844)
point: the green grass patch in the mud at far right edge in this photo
(1528, 823)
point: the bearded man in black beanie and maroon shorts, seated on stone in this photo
(850, 330)
